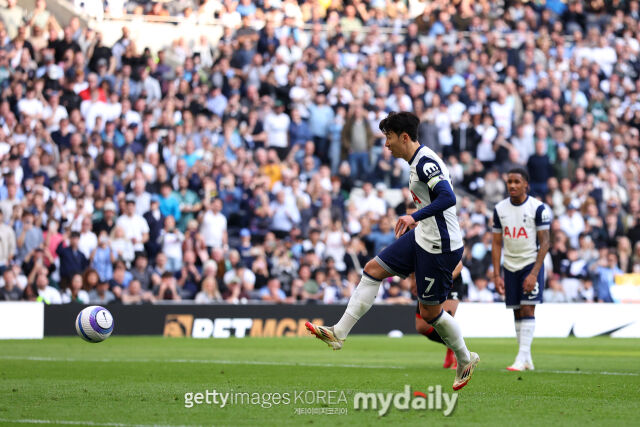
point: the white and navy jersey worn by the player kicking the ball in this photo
(439, 233)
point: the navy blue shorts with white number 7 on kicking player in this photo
(433, 271)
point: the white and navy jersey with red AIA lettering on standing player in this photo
(519, 225)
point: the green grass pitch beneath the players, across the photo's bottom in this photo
(143, 380)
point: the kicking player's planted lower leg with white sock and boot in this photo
(449, 331)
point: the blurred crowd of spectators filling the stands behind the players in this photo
(254, 169)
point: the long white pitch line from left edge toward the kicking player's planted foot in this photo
(211, 362)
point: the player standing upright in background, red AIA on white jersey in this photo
(522, 224)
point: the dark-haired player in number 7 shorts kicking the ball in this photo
(432, 249)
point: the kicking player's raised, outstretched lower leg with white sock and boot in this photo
(359, 303)
